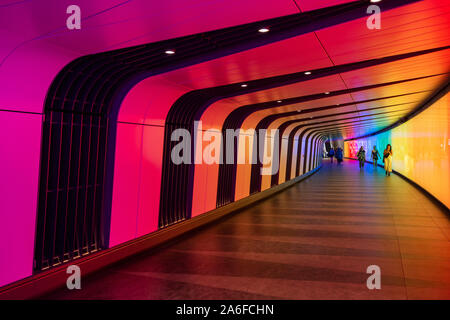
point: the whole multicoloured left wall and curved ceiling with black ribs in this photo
(86, 137)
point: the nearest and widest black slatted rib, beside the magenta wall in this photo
(81, 110)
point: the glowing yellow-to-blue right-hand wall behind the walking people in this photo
(421, 148)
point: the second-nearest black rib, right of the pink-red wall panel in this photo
(191, 106)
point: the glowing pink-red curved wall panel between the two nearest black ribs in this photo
(138, 158)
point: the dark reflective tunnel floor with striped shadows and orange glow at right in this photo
(312, 241)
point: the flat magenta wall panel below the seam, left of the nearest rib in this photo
(19, 162)
